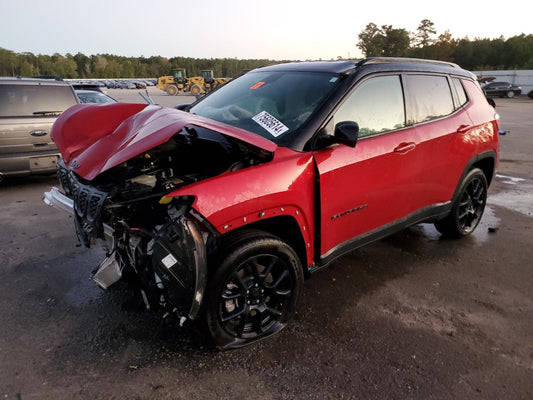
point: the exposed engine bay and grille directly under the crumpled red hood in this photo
(133, 192)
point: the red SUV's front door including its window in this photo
(365, 188)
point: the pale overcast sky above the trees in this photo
(272, 29)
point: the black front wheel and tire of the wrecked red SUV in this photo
(254, 291)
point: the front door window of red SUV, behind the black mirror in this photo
(376, 104)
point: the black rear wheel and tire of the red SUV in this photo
(468, 209)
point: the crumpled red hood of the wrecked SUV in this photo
(95, 138)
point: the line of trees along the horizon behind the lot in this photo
(479, 54)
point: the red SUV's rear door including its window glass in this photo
(437, 113)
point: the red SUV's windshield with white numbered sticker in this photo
(271, 104)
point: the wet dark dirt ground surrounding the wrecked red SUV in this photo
(410, 317)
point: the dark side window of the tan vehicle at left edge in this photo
(34, 100)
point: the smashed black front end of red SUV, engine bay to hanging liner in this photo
(152, 239)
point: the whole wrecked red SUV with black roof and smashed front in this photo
(218, 210)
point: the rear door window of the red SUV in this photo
(429, 97)
